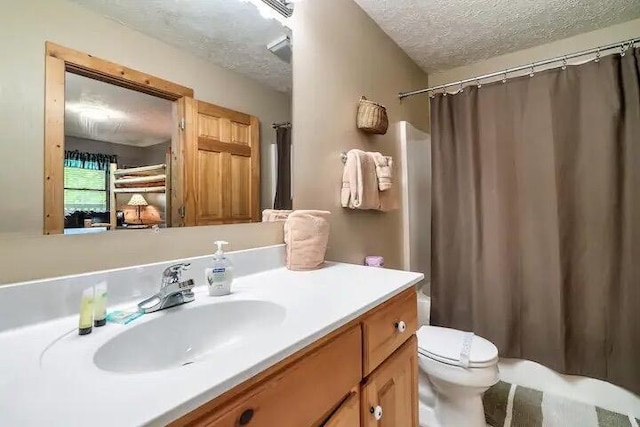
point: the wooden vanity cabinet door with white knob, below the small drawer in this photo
(393, 389)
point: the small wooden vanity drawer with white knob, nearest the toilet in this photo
(381, 333)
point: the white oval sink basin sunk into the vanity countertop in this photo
(187, 335)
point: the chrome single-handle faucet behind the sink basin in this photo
(173, 290)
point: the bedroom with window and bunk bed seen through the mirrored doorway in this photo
(117, 148)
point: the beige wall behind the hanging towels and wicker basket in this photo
(339, 55)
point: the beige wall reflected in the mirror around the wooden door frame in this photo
(27, 25)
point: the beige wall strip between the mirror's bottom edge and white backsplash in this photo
(28, 258)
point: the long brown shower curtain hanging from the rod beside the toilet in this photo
(536, 217)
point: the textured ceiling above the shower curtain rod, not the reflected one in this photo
(442, 34)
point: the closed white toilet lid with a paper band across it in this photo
(445, 345)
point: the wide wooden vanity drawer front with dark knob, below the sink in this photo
(301, 394)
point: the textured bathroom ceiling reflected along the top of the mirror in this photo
(230, 33)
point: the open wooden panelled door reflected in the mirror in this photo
(220, 165)
